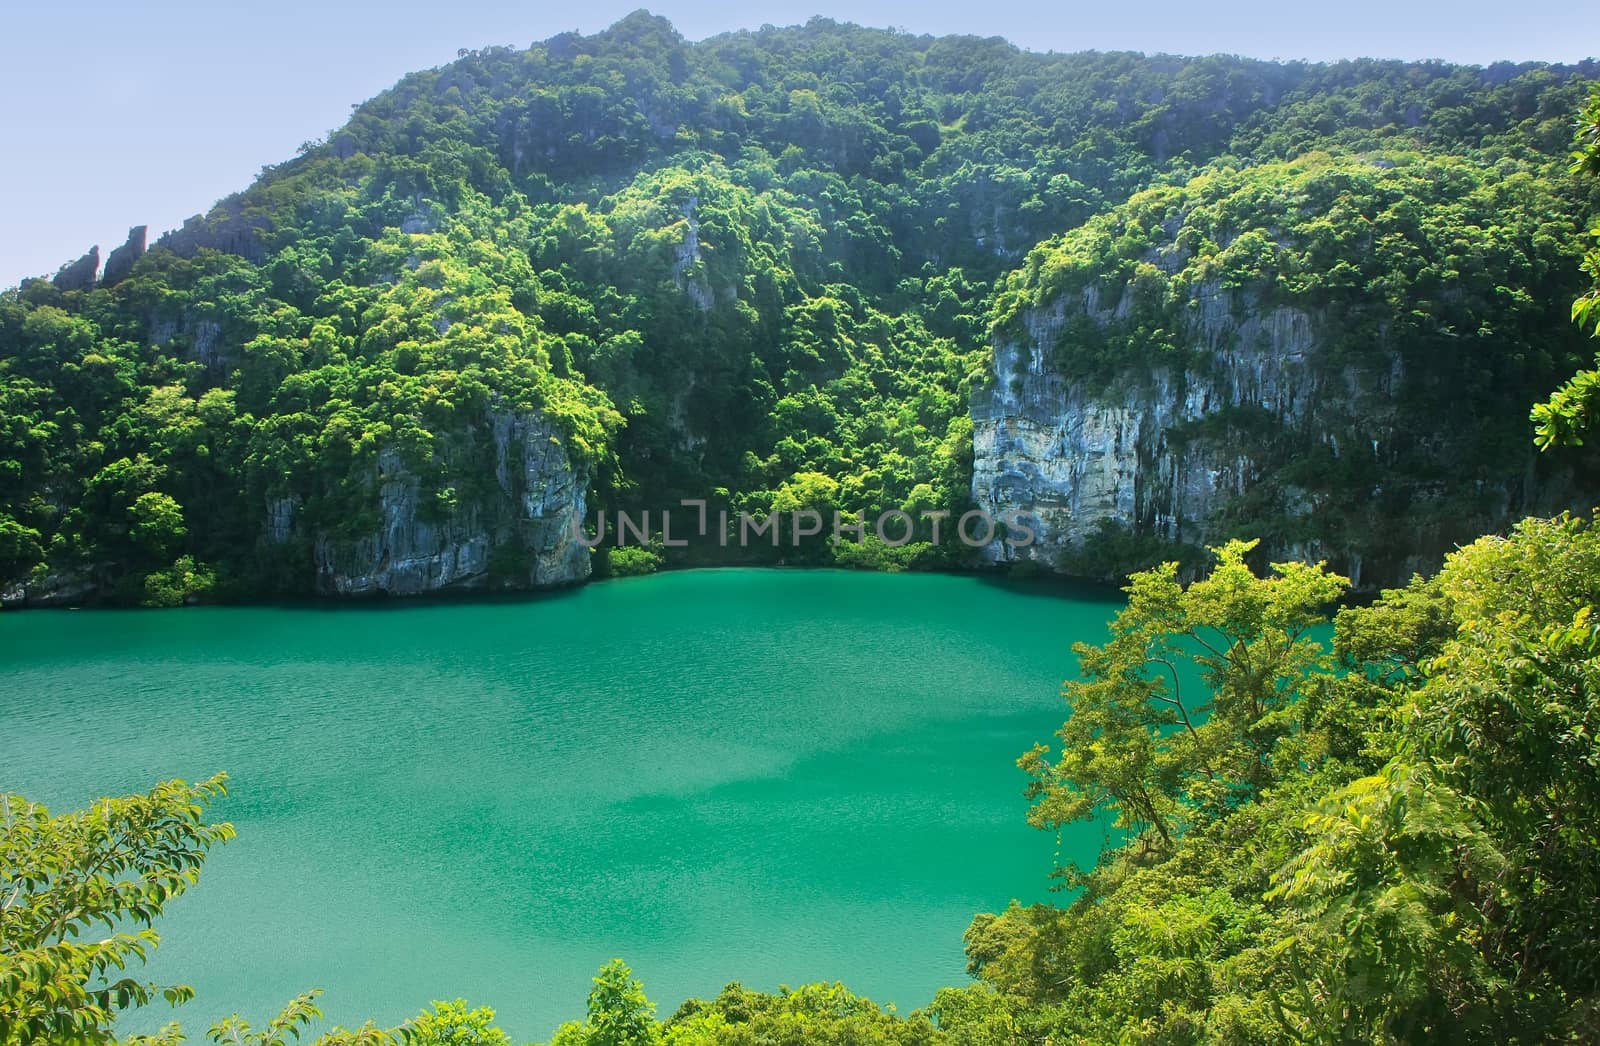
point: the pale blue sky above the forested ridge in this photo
(119, 114)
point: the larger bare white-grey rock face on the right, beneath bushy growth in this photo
(1257, 431)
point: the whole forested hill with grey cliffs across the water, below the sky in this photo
(791, 269)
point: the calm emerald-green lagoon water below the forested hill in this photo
(759, 777)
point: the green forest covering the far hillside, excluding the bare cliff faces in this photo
(730, 268)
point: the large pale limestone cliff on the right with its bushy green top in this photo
(1335, 356)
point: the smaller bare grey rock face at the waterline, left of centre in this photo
(518, 532)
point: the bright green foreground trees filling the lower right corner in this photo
(1420, 864)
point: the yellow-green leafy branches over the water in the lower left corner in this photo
(73, 892)
